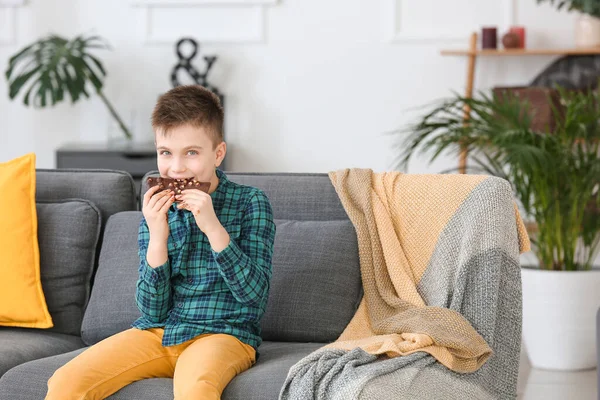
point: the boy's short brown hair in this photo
(193, 105)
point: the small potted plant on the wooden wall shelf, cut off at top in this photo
(587, 28)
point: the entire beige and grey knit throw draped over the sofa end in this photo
(471, 271)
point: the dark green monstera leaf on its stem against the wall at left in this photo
(53, 68)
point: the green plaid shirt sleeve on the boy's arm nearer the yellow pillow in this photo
(153, 291)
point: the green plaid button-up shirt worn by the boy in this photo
(201, 291)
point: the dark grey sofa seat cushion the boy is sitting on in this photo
(261, 382)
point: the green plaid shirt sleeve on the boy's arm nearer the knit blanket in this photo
(245, 264)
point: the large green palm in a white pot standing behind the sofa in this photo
(556, 177)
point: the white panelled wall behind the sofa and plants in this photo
(311, 85)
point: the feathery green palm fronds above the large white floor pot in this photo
(555, 176)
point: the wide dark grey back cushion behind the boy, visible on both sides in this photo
(315, 287)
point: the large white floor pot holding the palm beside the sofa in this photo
(559, 318)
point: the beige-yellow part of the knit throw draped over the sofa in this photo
(398, 219)
